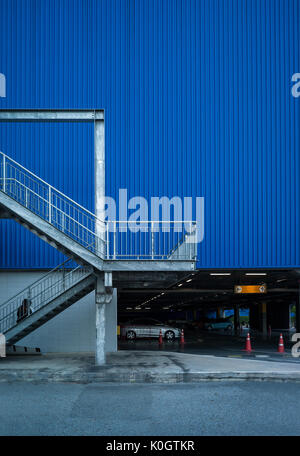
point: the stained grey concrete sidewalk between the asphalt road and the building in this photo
(140, 367)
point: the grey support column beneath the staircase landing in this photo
(106, 320)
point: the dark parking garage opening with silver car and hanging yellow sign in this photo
(208, 308)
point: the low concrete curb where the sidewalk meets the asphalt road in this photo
(48, 376)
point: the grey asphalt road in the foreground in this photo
(208, 408)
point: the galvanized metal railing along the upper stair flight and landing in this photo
(141, 239)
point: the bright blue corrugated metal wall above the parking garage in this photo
(197, 96)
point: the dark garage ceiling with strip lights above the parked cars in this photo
(203, 289)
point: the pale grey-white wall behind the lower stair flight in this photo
(73, 330)
